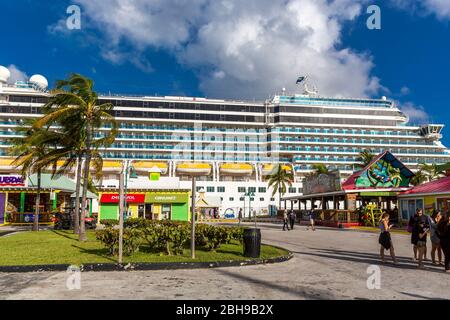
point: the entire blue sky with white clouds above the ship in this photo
(246, 50)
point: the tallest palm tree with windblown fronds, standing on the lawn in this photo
(75, 99)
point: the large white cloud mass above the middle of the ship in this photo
(241, 49)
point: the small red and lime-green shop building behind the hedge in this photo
(150, 204)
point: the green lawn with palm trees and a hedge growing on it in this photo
(62, 247)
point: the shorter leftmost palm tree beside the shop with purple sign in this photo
(30, 150)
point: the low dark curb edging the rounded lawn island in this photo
(108, 267)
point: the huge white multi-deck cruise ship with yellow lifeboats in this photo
(233, 145)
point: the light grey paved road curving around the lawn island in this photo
(327, 264)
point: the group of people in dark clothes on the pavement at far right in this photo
(437, 227)
